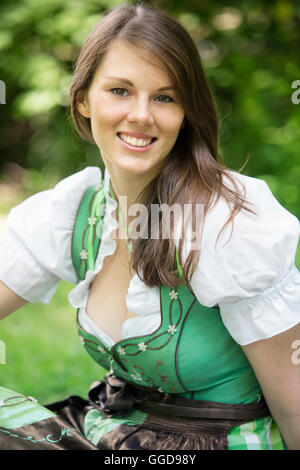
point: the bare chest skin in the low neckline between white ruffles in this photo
(106, 305)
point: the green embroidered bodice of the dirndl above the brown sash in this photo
(190, 354)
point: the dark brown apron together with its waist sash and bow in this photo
(201, 425)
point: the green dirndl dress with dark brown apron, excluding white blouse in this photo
(147, 400)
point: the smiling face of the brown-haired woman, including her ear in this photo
(132, 98)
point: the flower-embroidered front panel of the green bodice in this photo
(149, 360)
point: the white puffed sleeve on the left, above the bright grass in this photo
(35, 251)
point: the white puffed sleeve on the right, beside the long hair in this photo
(252, 277)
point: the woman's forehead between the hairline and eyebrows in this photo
(123, 58)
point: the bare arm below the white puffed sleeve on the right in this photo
(276, 364)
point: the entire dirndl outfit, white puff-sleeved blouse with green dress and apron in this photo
(185, 386)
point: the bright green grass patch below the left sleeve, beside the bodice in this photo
(44, 357)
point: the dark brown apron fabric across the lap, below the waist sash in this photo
(65, 432)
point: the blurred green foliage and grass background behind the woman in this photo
(250, 50)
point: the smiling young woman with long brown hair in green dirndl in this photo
(198, 341)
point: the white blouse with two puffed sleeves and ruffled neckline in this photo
(252, 278)
